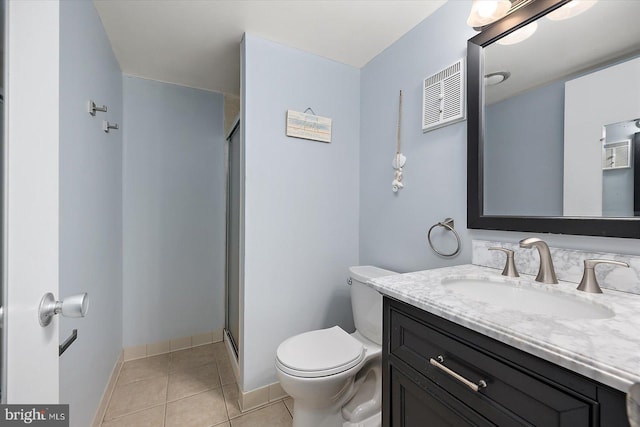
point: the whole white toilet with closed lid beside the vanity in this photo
(335, 378)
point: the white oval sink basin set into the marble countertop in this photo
(526, 298)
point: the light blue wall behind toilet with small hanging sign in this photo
(301, 200)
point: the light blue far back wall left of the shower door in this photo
(174, 211)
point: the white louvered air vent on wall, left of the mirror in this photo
(443, 99)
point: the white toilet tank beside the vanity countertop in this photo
(367, 302)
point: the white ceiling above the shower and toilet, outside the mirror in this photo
(197, 42)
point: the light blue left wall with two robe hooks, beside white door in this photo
(90, 207)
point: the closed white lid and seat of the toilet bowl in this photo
(319, 353)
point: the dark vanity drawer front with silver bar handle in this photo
(511, 391)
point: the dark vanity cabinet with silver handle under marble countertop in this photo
(423, 353)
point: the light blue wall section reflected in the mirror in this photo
(524, 149)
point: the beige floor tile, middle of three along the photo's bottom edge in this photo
(204, 409)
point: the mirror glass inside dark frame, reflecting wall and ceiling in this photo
(562, 102)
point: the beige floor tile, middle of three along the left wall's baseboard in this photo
(135, 396)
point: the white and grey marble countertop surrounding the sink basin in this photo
(606, 350)
